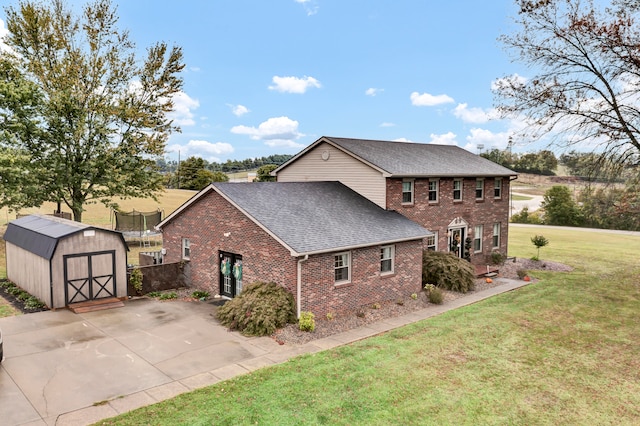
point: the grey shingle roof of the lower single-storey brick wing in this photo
(313, 217)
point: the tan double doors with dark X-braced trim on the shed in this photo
(89, 276)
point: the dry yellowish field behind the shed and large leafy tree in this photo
(99, 215)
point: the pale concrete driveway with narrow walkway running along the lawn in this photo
(62, 368)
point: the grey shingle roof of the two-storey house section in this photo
(409, 159)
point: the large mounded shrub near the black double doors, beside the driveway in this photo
(260, 309)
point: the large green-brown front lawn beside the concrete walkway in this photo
(563, 350)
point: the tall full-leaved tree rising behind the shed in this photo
(95, 117)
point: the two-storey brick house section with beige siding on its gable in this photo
(455, 194)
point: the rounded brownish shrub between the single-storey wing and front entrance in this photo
(447, 271)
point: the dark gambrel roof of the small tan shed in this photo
(40, 234)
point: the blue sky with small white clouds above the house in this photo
(271, 77)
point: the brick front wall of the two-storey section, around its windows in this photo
(437, 216)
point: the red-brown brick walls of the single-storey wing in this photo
(213, 225)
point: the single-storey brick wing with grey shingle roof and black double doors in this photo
(331, 247)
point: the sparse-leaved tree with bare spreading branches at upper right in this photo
(587, 66)
